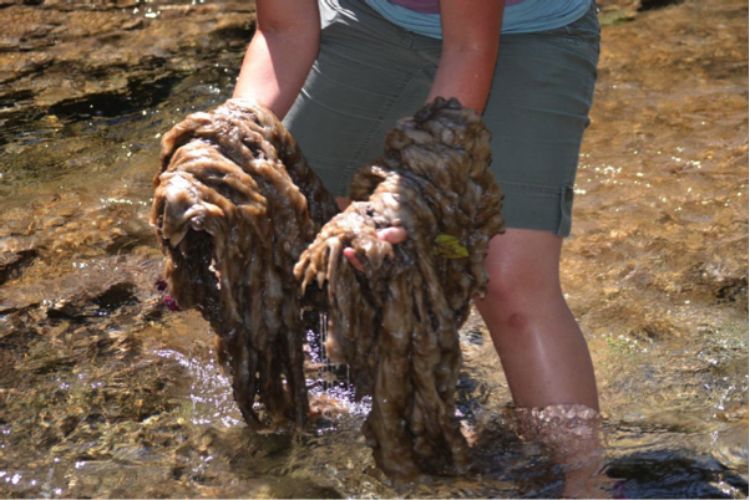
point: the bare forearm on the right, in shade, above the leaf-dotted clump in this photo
(471, 38)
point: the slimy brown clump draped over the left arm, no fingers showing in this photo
(235, 204)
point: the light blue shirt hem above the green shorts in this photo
(526, 16)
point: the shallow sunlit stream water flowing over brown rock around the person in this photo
(104, 391)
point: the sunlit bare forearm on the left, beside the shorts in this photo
(283, 49)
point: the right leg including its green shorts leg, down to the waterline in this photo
(538, 110)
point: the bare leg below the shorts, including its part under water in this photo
(544, 354)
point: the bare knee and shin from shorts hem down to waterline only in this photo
(541, 347)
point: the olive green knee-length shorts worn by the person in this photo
(370, 72)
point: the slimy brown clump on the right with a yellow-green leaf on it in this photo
(396, 323)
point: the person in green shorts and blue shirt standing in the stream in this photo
(342, 72)
